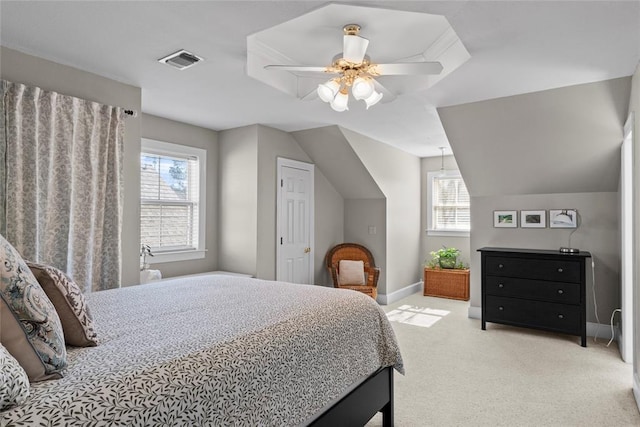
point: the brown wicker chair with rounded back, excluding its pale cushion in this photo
(354, 252)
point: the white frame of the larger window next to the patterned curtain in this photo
(152, 146)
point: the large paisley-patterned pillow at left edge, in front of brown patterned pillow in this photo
(30, 328)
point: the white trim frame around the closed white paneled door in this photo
(295, 164)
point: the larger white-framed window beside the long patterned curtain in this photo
(172, 200)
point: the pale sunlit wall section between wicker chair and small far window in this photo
(398, 175)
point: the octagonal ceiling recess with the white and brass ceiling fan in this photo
(336, 48)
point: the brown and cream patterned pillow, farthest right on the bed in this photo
(69, 302)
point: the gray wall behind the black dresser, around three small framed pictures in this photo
(597, 233)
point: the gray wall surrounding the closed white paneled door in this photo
(247, 205)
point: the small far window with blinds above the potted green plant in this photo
(448, 204)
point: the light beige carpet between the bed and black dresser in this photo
(459, 375)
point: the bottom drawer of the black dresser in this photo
(537, 314)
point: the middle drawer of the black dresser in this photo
(568, 293)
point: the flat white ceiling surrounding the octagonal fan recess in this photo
(516, 47)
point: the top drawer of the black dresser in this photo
(538, 269)
